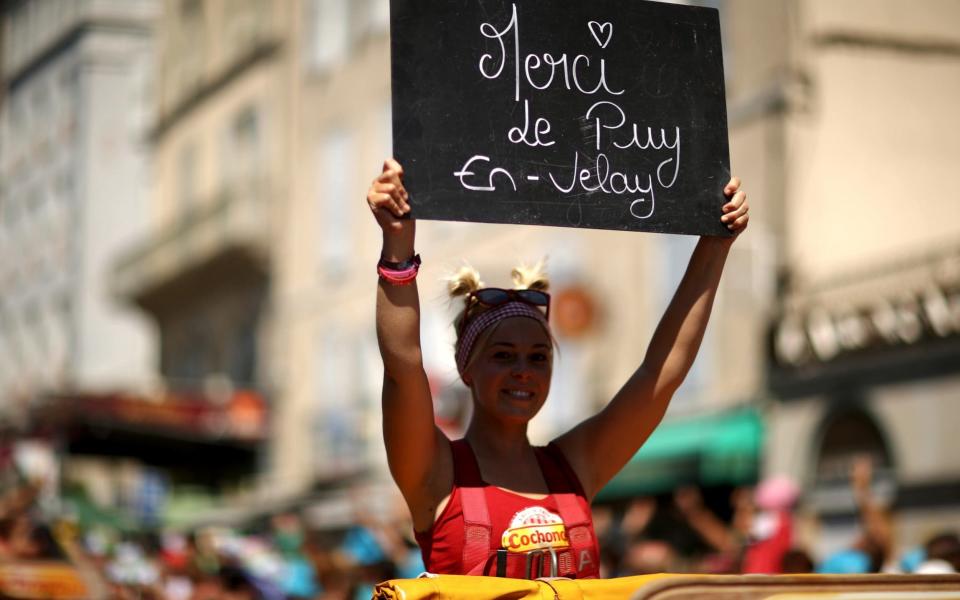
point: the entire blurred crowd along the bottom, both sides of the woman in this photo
(280, 558)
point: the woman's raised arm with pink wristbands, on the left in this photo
(417, 451)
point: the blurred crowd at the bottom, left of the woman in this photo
(276, 559)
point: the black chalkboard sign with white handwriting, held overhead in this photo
(606, 114)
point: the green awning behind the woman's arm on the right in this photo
(722, 448)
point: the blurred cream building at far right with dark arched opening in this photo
(850, 128)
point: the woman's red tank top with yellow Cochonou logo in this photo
(485, 530)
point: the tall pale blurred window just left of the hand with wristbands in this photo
(334, 204)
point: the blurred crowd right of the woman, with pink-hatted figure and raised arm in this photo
(759, 535)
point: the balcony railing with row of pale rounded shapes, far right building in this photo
(898, 320)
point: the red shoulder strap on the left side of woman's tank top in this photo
(473, 502)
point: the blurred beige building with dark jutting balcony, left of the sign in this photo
(206, 269)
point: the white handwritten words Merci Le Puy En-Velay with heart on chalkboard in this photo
(615, 137)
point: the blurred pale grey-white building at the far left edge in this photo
(73, 177)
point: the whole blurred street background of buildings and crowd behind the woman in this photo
(189, 376)
